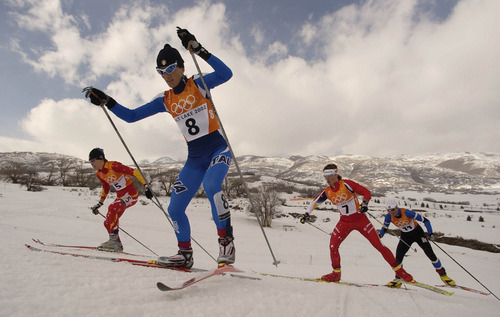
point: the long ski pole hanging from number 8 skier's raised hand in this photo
(257, 212)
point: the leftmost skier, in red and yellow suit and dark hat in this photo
(115, 174)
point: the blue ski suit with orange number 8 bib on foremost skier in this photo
(208, 153)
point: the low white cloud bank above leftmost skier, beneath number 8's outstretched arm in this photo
(75, 126)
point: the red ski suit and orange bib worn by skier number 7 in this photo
(344, 195)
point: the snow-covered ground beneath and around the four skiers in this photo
(43, 284)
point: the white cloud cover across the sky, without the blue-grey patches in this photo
(380, 82)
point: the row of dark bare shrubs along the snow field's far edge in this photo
(69, 172)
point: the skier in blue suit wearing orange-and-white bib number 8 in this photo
(208, 154)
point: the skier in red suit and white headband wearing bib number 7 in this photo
(343, 194)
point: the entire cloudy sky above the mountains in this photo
(378, 78)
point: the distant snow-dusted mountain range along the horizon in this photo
(444, 172)
